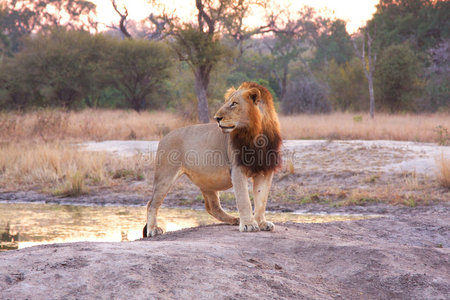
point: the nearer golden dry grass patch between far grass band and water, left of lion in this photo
(64, 170)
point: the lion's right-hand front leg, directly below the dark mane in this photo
(261, 189)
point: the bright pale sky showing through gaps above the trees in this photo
(354, 12)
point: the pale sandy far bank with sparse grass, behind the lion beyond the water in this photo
(330, 171)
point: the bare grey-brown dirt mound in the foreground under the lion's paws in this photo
(401, 256)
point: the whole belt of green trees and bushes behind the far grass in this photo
(310, 63)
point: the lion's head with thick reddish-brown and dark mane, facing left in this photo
(250, 117)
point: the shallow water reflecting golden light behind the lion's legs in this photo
(25, 225)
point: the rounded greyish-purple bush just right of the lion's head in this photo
(305, 95)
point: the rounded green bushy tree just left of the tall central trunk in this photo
(138, 69)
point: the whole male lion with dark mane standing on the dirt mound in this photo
(245, 143)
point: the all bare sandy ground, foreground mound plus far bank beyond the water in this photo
(402, 255)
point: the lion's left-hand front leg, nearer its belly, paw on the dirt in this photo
(247, 222)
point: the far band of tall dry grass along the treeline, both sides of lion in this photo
(97, 125)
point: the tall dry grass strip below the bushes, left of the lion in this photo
(97, 125)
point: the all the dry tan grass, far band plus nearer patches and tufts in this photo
(37, 148)
